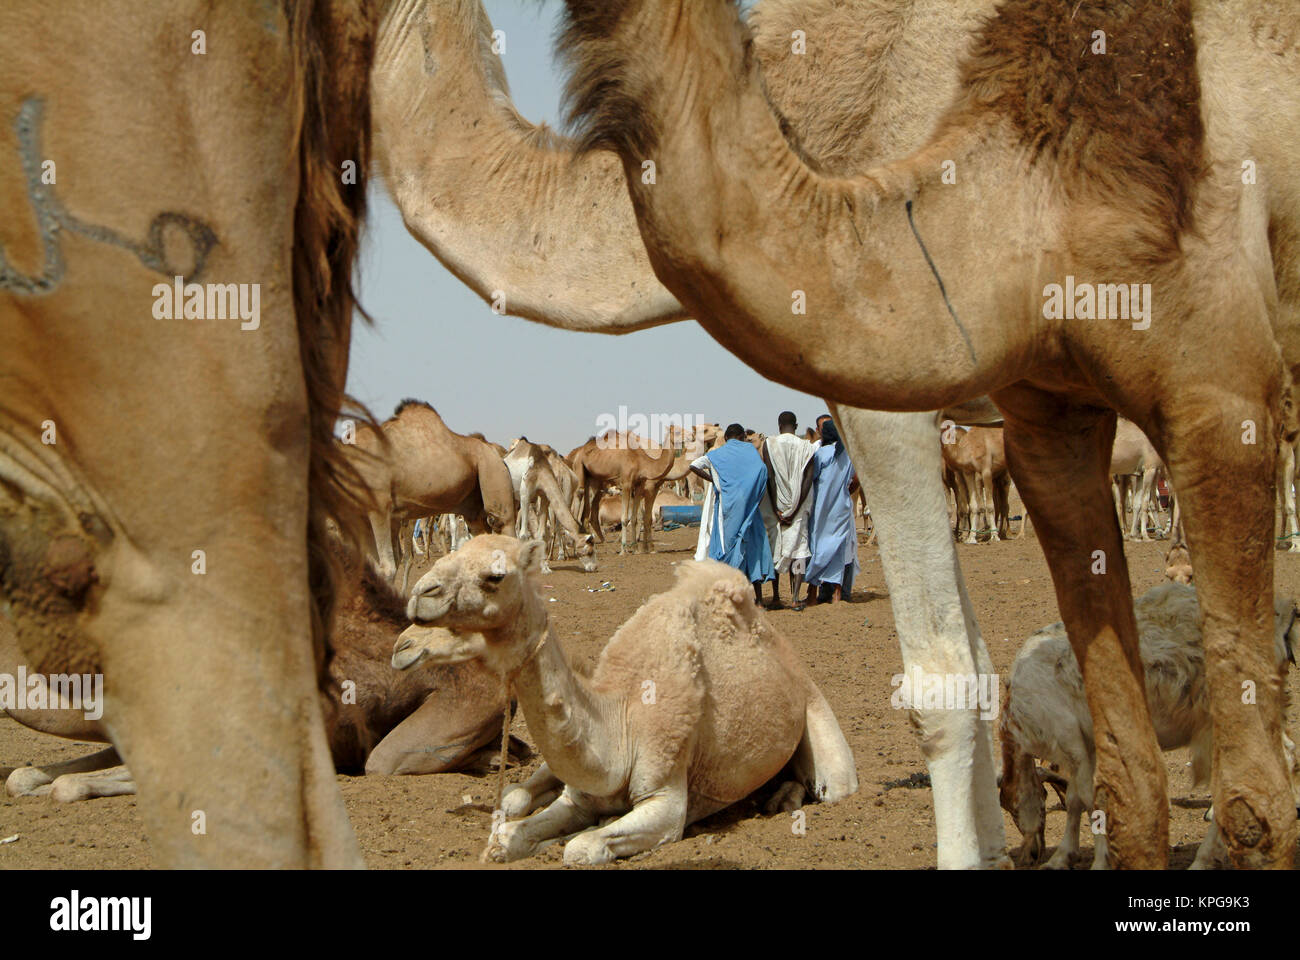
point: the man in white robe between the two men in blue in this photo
(786, 508)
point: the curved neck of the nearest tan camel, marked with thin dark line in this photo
(814, 282)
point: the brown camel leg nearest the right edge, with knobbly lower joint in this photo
(1227, 492)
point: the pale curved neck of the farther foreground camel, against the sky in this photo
(504, 205)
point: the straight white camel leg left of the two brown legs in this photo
(900, 466)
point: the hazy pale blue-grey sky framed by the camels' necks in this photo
(435, 340)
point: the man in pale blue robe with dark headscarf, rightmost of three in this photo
(833, 527)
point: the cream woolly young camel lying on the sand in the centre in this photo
(729, 704)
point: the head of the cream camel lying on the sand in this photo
(478, 603)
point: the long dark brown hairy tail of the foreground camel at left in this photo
(332, 47)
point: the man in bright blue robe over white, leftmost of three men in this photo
(739, 537)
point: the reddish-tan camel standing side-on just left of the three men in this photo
(639, 468)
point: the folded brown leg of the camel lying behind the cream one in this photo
(435, 738)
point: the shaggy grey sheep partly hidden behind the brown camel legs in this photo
(1045, 715)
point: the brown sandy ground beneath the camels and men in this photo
(852, 652)
